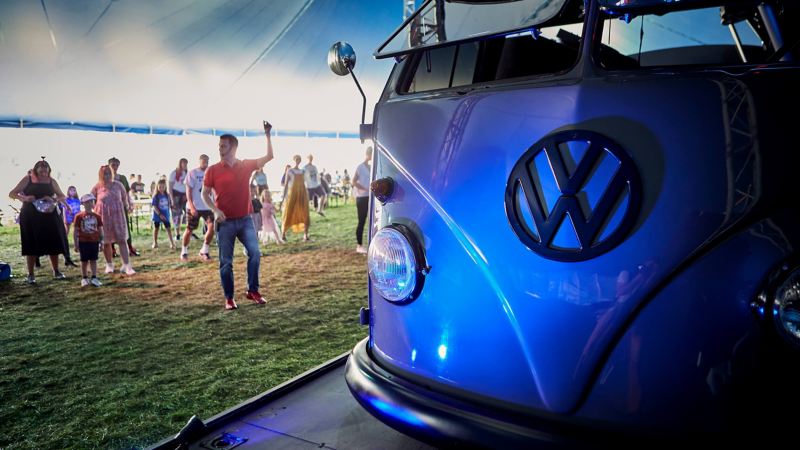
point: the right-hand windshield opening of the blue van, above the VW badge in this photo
(727, 33)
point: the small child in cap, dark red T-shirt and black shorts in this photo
(87, 238)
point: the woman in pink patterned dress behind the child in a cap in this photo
(112, 202)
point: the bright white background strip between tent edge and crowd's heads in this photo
(75, 156)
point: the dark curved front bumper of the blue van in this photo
(445, 421)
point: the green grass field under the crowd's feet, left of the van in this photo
(125, 365)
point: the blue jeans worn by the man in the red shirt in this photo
(244, 230)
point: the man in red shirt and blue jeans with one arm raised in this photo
(230, 181)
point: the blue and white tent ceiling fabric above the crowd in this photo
(190, 63)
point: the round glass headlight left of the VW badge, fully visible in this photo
(395, 268)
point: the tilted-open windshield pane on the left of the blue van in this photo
(439, 22)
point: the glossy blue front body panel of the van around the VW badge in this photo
(497, 319)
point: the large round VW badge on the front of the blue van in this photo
(573, 196)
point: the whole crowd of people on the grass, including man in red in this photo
(232, 198)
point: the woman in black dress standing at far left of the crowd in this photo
(40, 225)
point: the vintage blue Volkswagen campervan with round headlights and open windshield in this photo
(585, 223)
